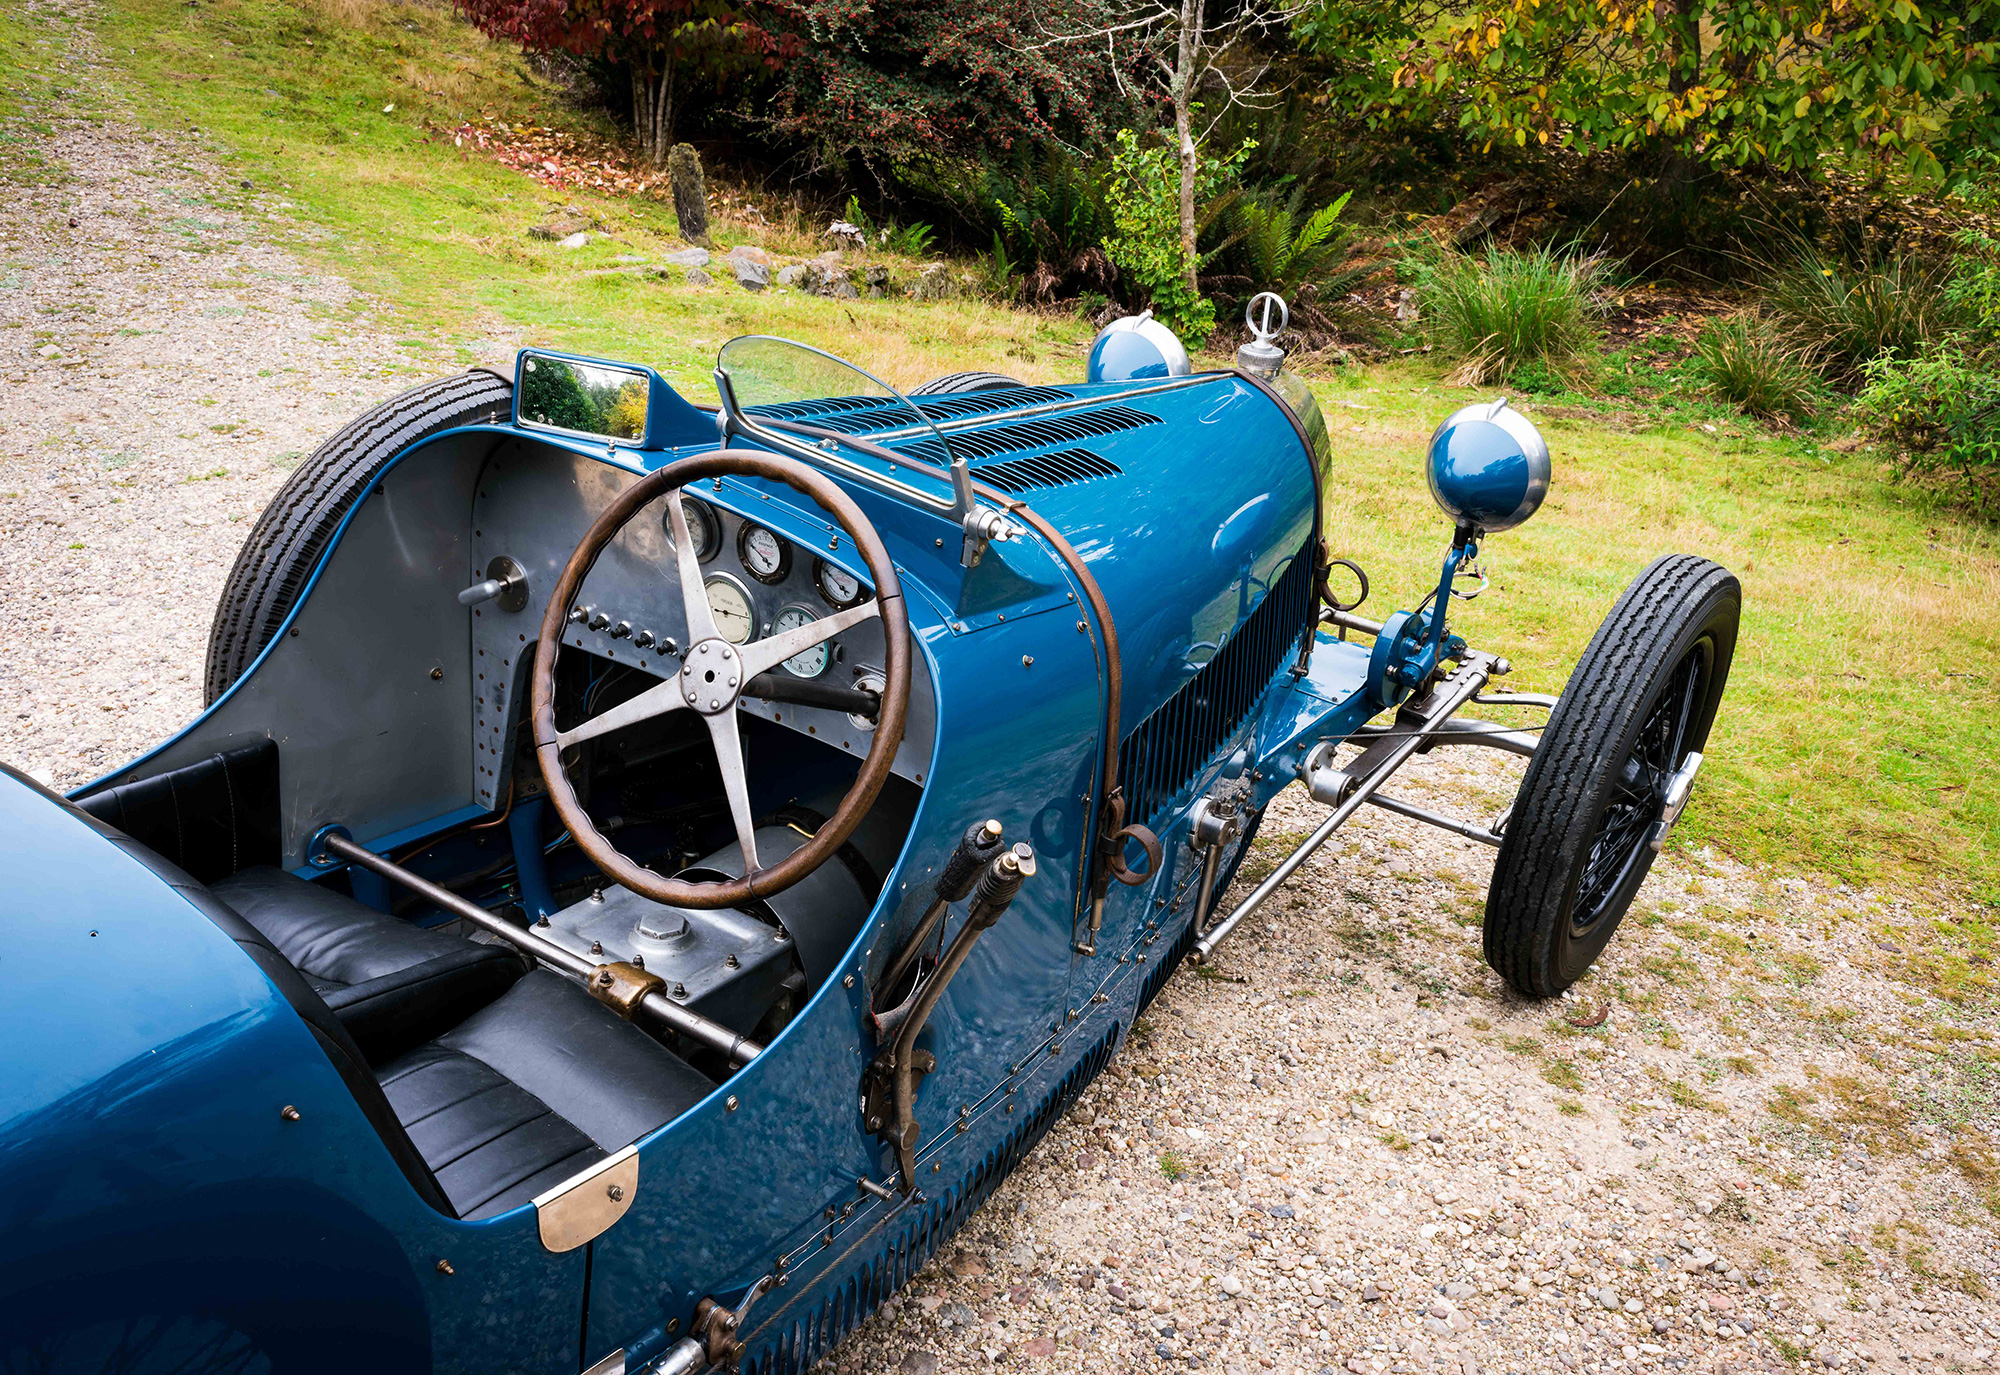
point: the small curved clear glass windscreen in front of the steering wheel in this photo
(793, 387)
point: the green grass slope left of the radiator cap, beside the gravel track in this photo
(297, 101)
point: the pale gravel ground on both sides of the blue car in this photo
(1759, 1136)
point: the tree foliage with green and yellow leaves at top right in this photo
(1719, 83)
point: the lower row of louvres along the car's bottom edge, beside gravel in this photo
(807, 1338)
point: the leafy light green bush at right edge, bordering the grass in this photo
(1943, 415)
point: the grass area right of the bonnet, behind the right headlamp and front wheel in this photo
(1857, 734)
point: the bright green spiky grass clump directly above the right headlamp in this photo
(1515, 307)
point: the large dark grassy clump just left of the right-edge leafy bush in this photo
(1849, 315)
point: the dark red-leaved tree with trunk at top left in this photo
(667, 45)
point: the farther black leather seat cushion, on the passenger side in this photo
(391, 984)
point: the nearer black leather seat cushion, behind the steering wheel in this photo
(533, 1090)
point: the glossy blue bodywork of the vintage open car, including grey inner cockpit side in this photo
(151, 1178)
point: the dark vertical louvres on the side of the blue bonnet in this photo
(1177, 742)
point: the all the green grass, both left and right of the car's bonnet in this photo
(1855, 740)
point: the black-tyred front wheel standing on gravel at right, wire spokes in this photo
(1637, 706)
